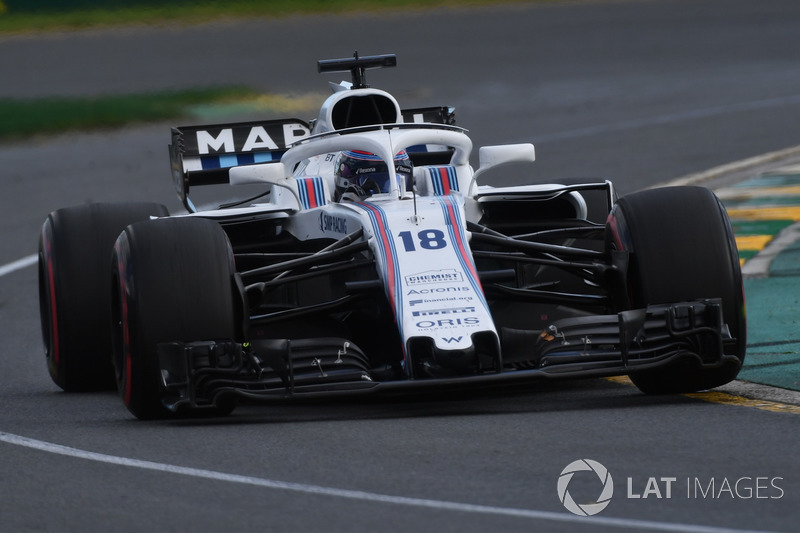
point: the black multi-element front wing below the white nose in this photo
(202, 374)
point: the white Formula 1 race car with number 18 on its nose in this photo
(374, 258)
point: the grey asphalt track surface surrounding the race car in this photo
(639, 92)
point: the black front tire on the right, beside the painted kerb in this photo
(681, 248)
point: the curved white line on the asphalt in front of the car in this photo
(594, 521)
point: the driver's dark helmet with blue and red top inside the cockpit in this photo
(359, 175)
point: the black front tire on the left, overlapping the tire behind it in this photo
(174, 281)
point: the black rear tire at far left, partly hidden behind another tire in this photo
(74, 290)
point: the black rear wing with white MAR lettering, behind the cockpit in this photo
(203, 155)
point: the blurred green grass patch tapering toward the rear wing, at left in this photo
(25, 117)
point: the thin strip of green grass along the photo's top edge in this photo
(27, 15)
